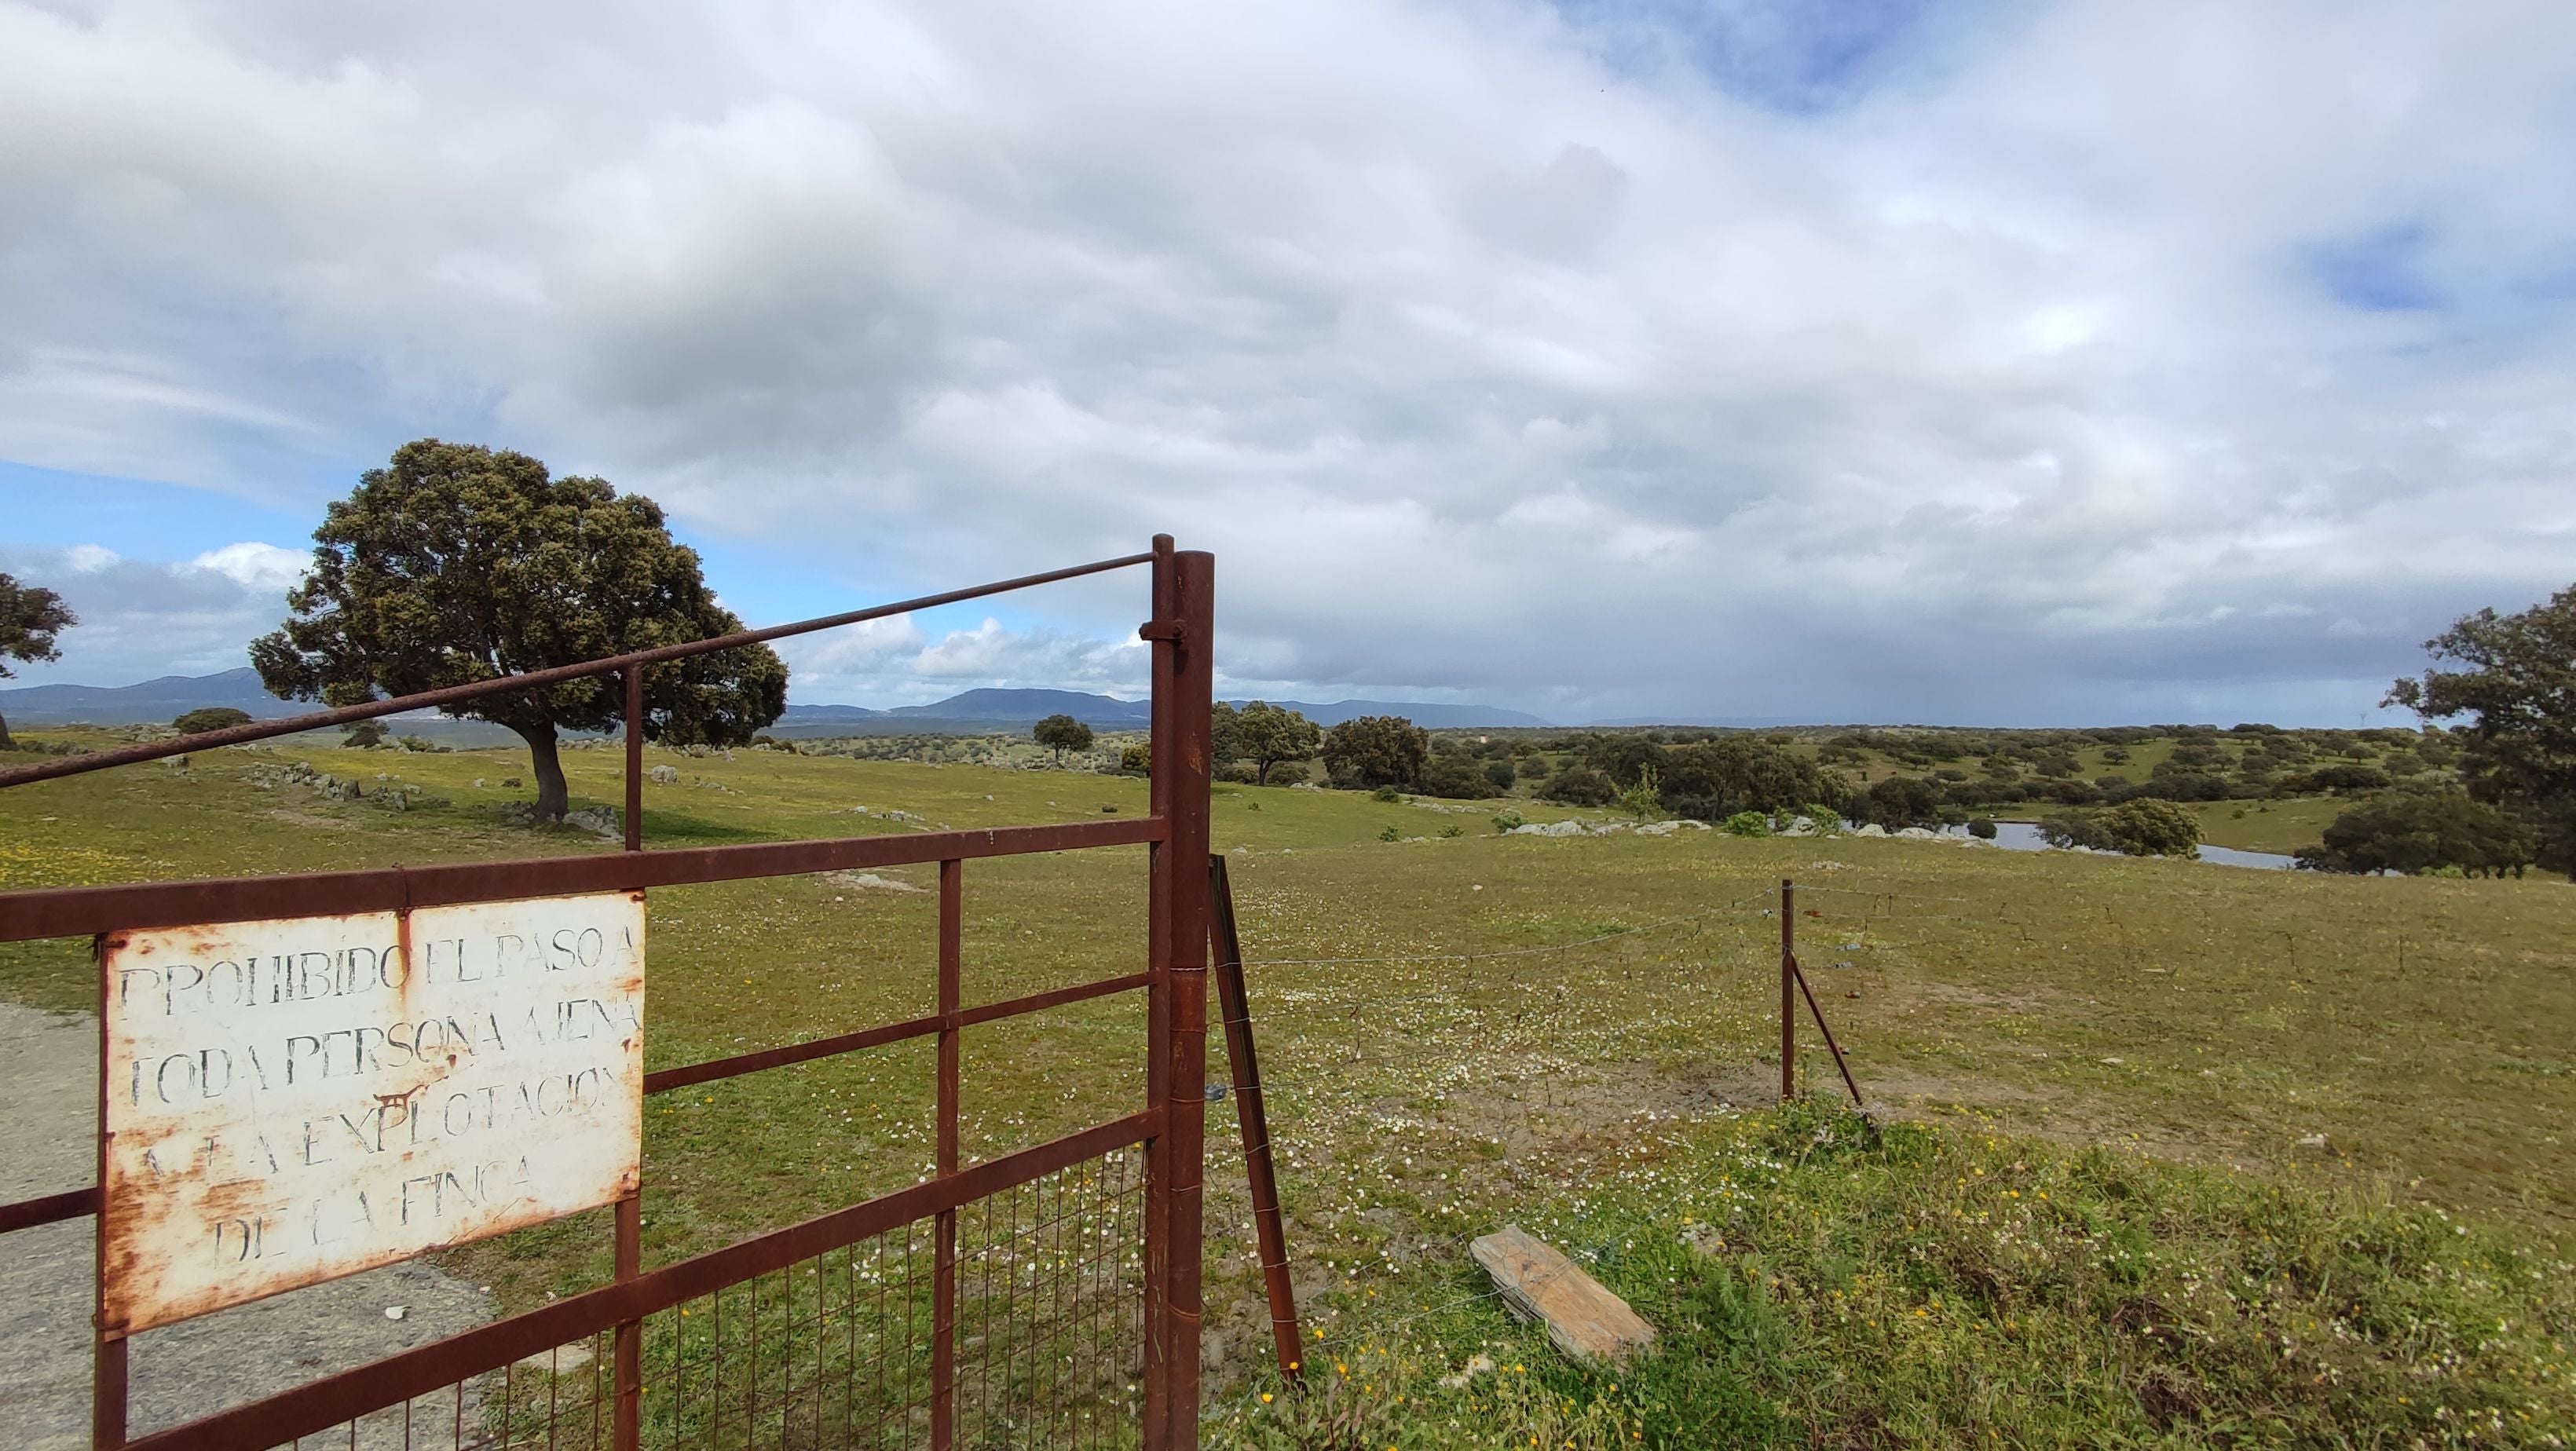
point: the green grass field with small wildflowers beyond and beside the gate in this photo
(2147, 1043)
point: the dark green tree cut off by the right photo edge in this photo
(2515, 682)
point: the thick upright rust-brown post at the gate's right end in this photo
(1179, 999)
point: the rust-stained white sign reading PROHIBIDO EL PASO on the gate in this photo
(313, 1097)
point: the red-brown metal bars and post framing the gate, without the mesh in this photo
(1171, 1128)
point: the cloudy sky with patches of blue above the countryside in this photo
(1750, 360)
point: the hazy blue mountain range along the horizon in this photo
(970, 713)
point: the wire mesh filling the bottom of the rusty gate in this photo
(836, 1352)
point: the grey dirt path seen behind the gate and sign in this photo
(48, 1143)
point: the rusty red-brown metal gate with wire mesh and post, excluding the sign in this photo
(1042, 1298)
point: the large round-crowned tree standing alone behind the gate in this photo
(460, 563)
